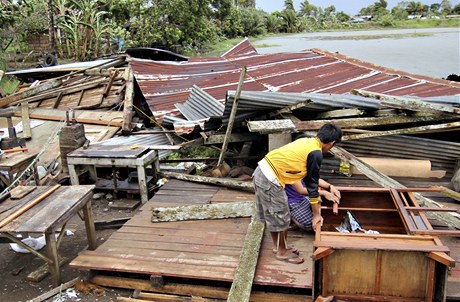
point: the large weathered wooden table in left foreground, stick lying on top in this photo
(48, 217)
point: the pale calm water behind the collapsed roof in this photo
(432, 51)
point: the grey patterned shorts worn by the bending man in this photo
(271, 203)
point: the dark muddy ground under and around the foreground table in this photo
(15, 266)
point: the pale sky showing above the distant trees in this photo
(350, 7)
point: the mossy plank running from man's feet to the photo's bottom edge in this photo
(246, 269)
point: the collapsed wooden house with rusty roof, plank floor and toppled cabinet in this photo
(262, 101)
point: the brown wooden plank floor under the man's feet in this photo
(202, 251)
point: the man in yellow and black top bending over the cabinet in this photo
(300, 159)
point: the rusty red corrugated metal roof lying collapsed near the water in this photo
(313, 71)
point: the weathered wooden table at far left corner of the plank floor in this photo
(114, 156)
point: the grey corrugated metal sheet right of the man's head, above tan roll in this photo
(442, 154)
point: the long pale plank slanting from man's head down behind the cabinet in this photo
(387, 182)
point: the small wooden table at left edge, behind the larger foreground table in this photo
(16, 162)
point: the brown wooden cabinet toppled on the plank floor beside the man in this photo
(401, 263)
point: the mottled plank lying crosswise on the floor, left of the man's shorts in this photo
(204, 211)
